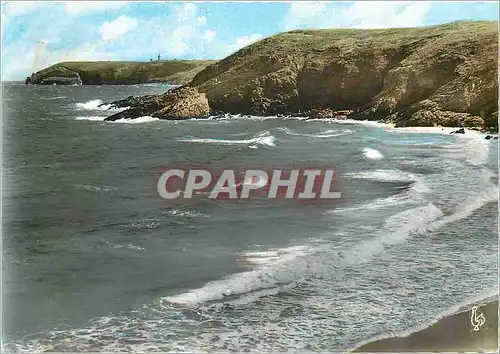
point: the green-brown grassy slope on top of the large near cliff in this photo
(291, 49)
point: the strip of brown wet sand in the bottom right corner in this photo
(452, 333)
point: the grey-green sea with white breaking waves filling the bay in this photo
(95, 260)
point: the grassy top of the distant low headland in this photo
(172, 71)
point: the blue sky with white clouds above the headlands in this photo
(36, 34)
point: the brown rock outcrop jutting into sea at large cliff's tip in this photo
(179, 103)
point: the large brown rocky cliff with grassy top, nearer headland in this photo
(440, 75)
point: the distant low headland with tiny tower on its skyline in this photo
(119, 73)
